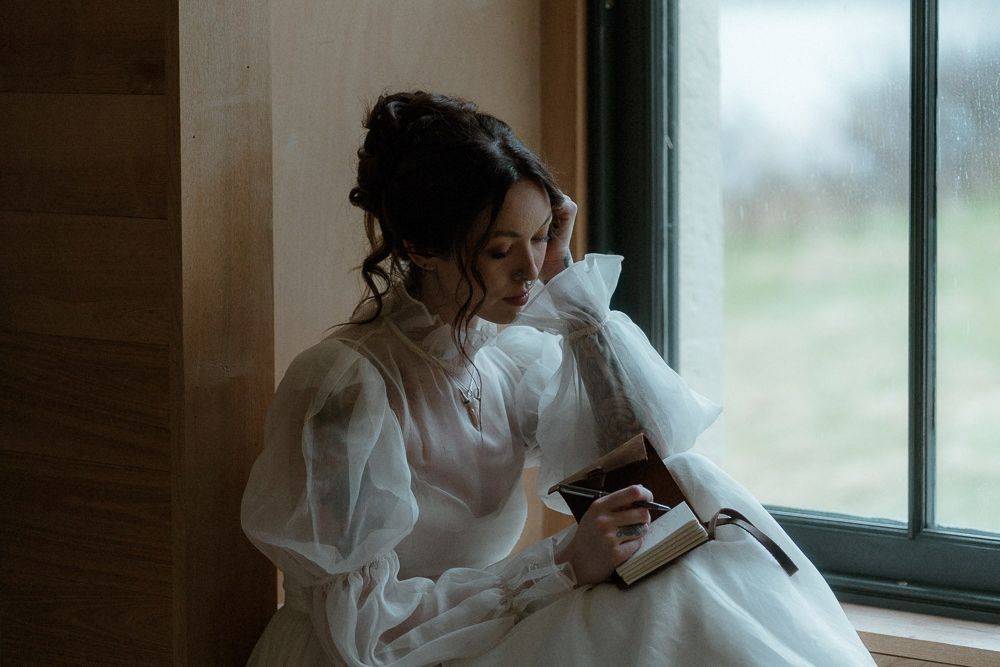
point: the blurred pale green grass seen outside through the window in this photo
(816, 365)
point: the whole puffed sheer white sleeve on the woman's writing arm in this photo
(328, 501)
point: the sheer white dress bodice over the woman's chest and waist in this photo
(465, 480)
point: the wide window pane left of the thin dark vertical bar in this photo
(815, 133)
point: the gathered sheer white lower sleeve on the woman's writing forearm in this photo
(371, 617)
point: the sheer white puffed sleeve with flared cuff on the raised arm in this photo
(607, 384)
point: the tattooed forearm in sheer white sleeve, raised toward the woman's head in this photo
(611, 382)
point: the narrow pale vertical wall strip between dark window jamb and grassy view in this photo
(700, 209)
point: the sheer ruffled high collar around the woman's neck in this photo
(427, 332)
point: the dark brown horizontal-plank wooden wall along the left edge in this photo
(88, 266)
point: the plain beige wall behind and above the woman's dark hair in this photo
(329, 61)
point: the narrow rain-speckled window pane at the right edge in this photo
(968, 408)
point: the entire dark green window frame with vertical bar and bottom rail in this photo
(633, 146)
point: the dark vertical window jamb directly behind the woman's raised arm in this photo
(629, 179)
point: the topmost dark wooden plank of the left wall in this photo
(82, 46)
